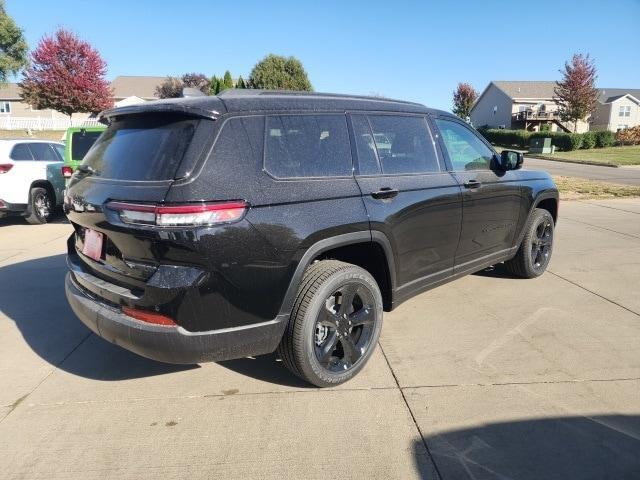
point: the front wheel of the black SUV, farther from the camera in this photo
(534, 253)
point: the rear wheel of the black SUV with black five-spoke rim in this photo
(335, 324)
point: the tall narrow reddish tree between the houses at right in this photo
(576, 95)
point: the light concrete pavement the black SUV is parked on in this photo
(487, 377)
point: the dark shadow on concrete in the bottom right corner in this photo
(589, 447)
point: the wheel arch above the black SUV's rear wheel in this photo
(351, 248)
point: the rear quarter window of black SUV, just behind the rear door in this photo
(307, 146)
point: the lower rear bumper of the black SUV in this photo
(172, 344)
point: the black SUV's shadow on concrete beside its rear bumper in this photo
(32, 295)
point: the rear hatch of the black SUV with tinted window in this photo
(136, 161)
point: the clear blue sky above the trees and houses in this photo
(412, 50)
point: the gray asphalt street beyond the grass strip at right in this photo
(621, 175)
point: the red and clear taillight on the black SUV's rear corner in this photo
(180, 215)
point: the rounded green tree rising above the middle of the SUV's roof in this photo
(275, 72)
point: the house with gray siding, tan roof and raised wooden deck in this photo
(527, 105)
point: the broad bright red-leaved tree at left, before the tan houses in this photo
(66, 74)
